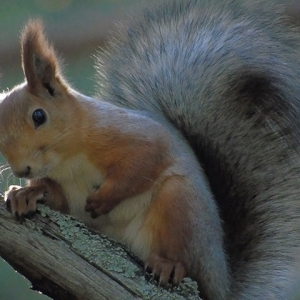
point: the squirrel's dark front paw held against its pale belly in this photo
(97, 206)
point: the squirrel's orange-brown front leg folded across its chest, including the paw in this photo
(130, 166)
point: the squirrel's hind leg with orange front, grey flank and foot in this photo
(183, 242)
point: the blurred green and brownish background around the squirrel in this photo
(76, 28)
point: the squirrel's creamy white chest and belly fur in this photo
(79, 178)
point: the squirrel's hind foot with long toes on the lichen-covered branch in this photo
(164, 270)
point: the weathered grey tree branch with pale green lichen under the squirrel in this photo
(65, 260)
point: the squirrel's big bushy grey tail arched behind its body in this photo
(228, 78)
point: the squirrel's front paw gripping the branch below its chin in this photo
(22, 202)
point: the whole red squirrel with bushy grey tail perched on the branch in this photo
(188, 153)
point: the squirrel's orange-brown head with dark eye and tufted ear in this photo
(36, 117)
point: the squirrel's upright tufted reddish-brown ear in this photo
(40, 64)
